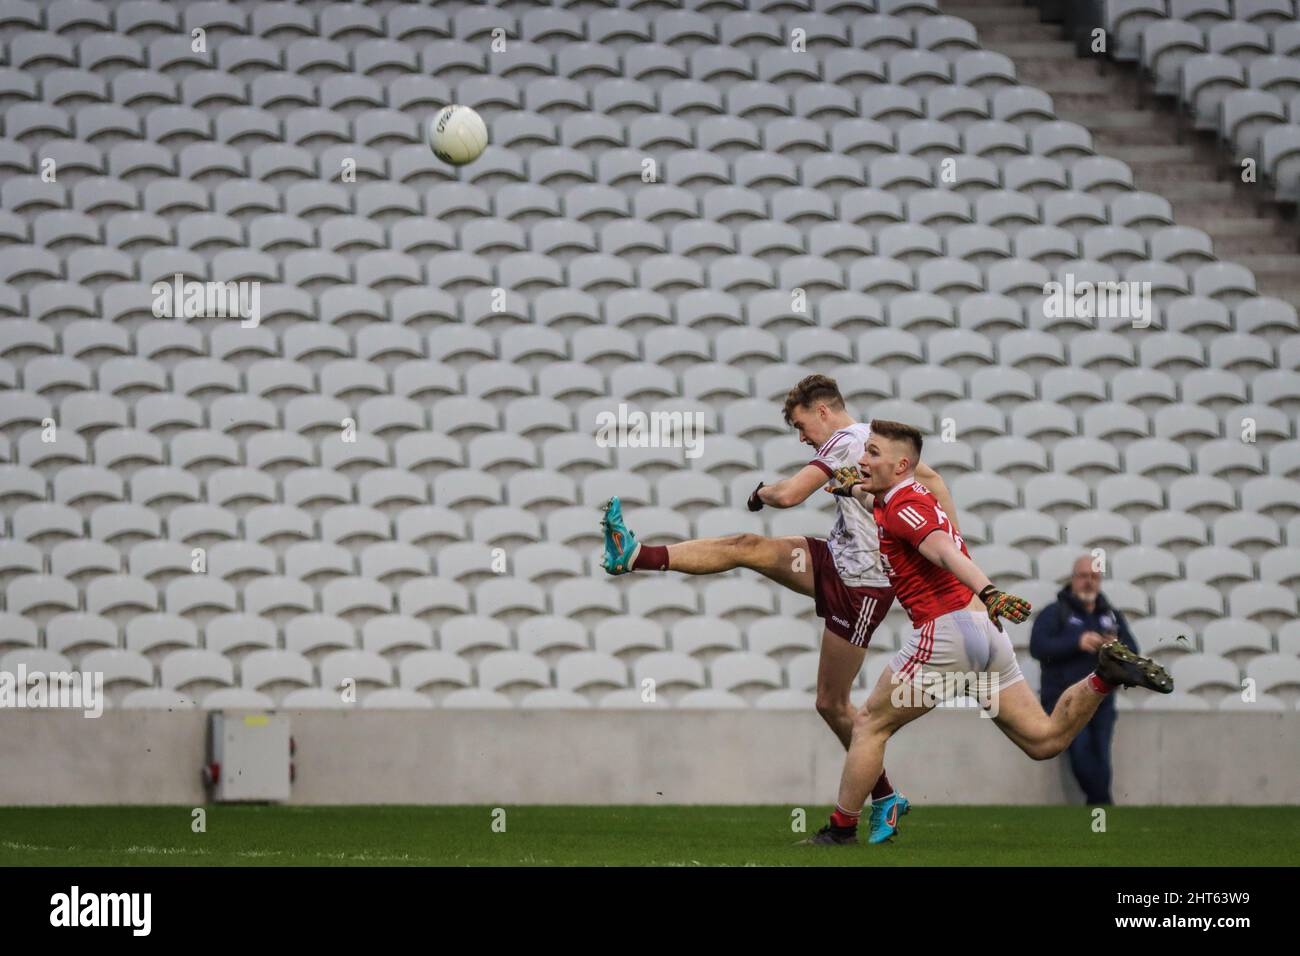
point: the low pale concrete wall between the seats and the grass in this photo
(626, 758)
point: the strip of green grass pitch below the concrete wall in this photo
(640, 836)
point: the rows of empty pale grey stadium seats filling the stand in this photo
(393, 479)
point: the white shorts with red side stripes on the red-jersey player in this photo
(959, 655)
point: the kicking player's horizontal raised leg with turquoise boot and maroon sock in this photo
(785, 560)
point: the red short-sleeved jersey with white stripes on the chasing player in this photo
(905, 517)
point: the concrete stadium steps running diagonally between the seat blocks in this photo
(1184, 167)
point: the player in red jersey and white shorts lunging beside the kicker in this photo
(955, 611)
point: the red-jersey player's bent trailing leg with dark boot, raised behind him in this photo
(1043, 737)
